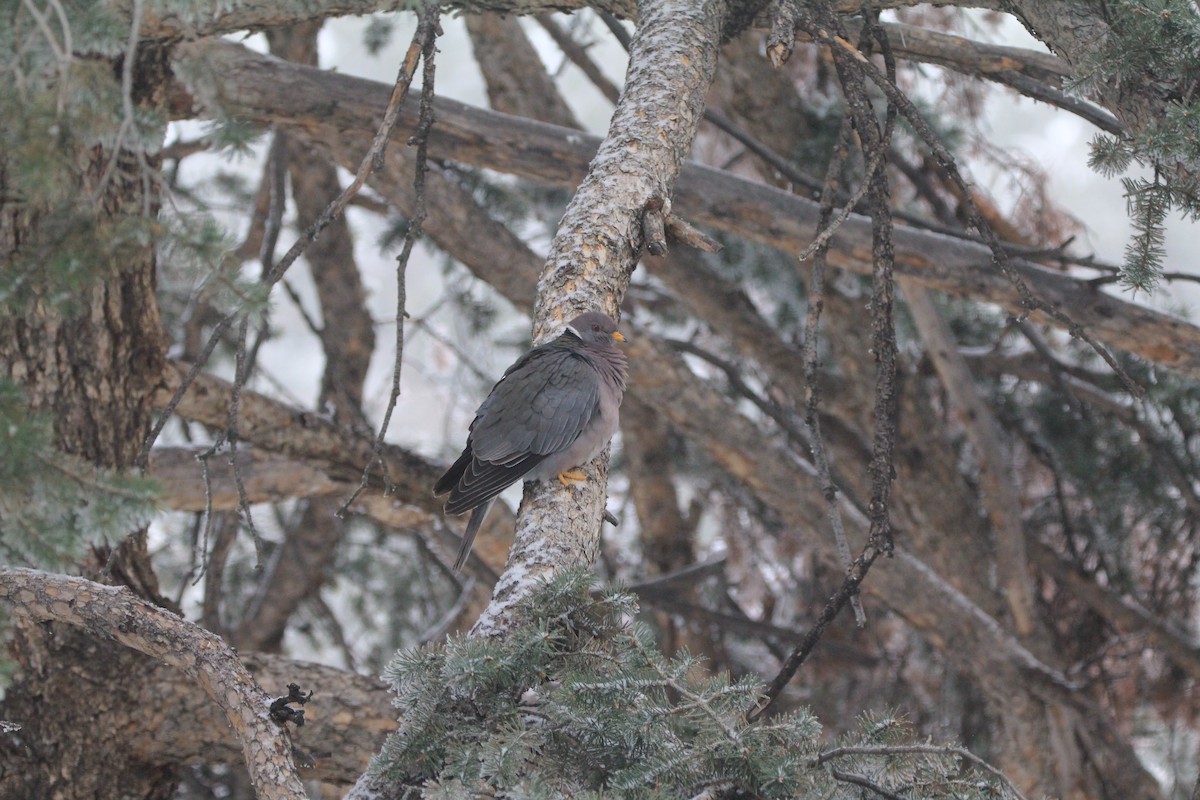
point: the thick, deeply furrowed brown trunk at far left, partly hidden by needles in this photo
(93, 374)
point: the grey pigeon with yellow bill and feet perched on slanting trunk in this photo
(553, 412)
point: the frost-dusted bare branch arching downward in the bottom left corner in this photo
(116, 613)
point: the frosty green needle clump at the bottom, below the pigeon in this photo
(578, 702)
